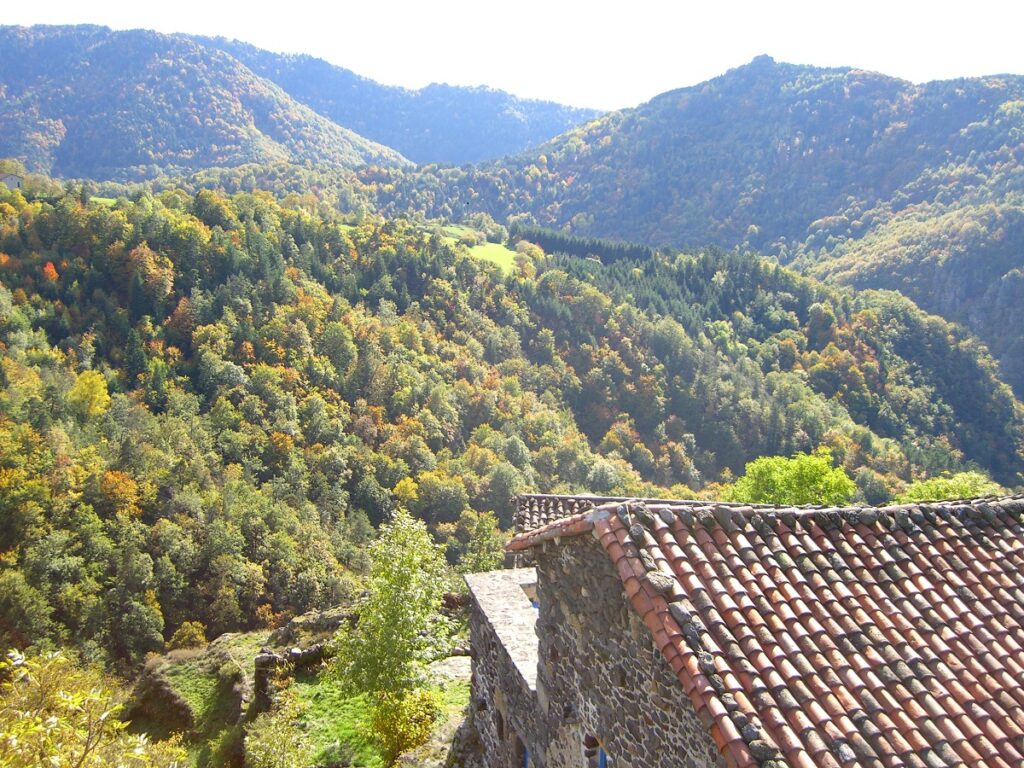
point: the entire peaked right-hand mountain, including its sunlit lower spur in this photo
(854, 177)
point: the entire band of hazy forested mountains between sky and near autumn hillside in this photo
(849, 176)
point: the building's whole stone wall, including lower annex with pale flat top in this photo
(588, 678)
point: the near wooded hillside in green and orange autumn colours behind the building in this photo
(207, 401)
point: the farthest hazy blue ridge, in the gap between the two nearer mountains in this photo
(437, 124)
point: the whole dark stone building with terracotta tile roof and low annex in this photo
(659, 633)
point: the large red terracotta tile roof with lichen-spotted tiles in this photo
(833, 637)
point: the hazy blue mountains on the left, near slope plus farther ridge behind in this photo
(87, 102)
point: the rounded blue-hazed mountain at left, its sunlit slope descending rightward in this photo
(89, 102)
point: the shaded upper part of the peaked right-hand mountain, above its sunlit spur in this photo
(751, 158)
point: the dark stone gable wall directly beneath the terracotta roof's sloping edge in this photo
(602, 681)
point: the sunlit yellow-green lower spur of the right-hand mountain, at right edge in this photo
(959, 252)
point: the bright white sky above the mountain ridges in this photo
(605, 56)
